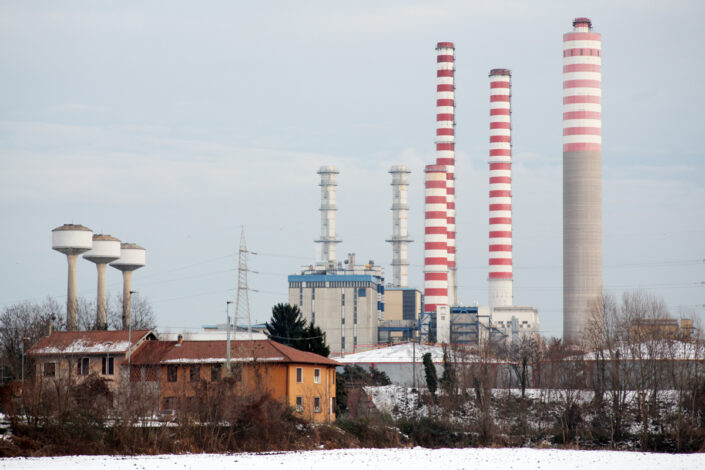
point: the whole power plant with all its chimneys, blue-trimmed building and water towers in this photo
(353, 303)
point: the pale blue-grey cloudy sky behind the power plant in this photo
(174, 124)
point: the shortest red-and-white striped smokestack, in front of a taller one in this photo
(435, 239)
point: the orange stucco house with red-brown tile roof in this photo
(182, 371)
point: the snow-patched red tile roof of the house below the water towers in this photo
(87, 342)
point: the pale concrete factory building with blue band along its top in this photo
(346, 301)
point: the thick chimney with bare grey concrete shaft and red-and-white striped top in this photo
(582, 173)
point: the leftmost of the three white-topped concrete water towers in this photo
(71, 240)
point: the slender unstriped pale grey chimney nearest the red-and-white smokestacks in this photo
(400, 233)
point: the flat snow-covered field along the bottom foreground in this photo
(387, 459)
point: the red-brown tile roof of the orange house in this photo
(171, 352)
